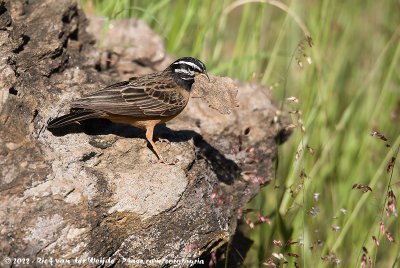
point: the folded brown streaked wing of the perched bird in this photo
(144, 97)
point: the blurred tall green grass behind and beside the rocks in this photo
(351, 88)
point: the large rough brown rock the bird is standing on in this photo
(93, 190)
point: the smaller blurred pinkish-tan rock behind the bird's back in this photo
(129, 46)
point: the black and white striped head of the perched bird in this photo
(185, 69)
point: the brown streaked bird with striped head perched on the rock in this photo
(142, 101)
